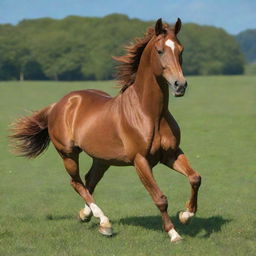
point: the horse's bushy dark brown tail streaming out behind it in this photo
(29, 135)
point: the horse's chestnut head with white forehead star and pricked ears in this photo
(167, 57)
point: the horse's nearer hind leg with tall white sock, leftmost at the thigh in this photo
(72, 166)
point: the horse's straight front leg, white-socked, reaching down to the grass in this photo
(145, 173)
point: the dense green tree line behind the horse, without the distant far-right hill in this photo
(80, 48)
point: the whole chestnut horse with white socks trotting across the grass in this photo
(133, 128)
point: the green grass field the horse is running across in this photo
(38, 207)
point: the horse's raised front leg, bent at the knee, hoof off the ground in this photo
(178, 162)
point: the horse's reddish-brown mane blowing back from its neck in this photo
(129, 63)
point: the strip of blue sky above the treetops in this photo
(232, 15)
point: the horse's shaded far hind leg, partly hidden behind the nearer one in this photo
(92, 178)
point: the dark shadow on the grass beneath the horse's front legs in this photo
(207, 225)
